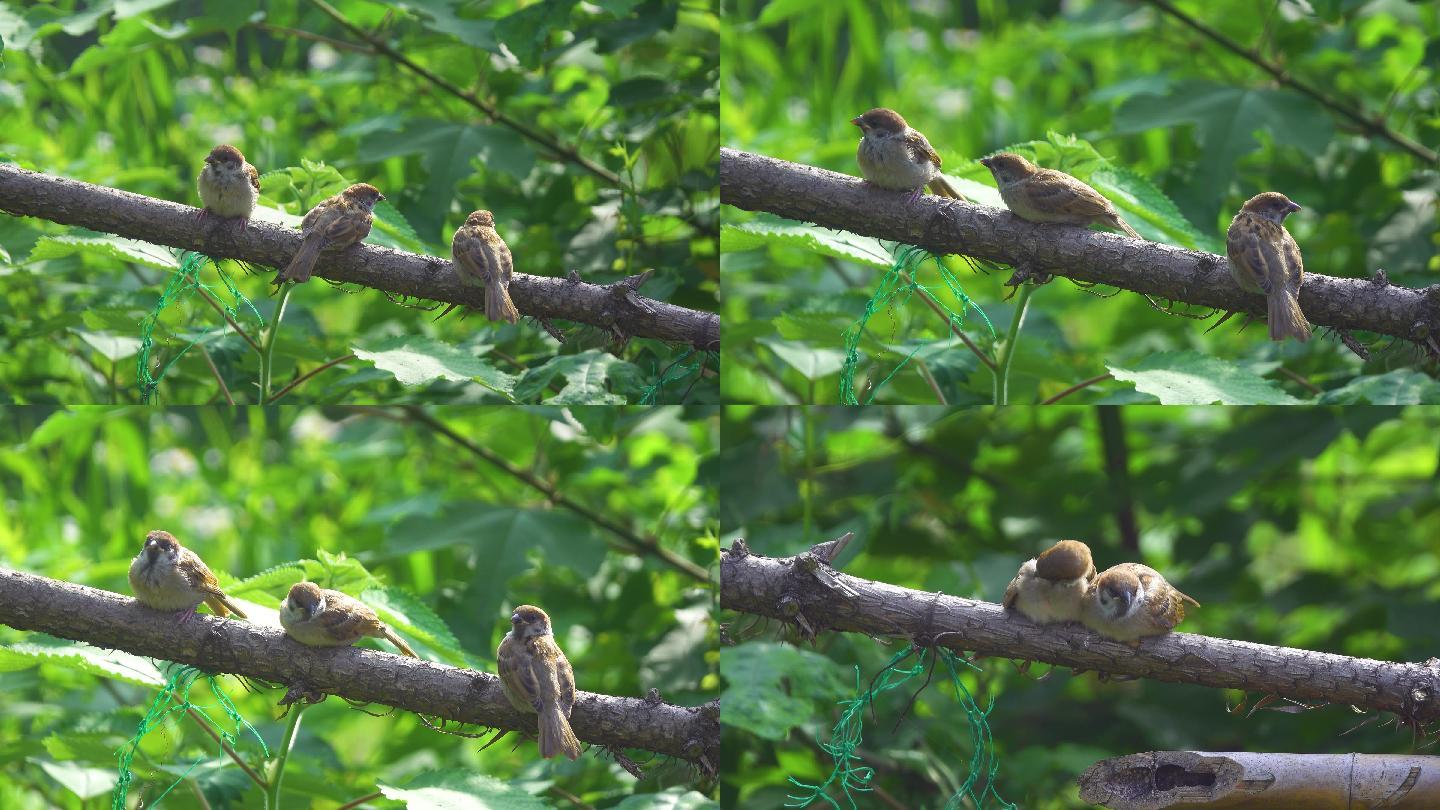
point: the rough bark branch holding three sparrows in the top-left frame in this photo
(613, 306)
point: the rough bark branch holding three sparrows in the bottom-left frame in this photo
(257, 651)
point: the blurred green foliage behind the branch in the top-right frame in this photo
(1160, 103)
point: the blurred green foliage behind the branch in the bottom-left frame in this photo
(440, 541)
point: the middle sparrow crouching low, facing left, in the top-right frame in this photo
(1045, 195)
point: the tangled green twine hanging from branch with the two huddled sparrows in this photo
(846, 739)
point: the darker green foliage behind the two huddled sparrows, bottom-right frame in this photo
(1298, 527)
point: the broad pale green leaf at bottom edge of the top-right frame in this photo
(1190, 378)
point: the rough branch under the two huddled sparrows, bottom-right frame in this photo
(807, 592)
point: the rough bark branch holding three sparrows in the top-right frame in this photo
(809, 194)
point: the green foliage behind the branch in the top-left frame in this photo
(133, 96)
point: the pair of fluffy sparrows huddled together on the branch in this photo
(1125, 603)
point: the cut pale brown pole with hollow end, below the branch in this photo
(1242, 780)
